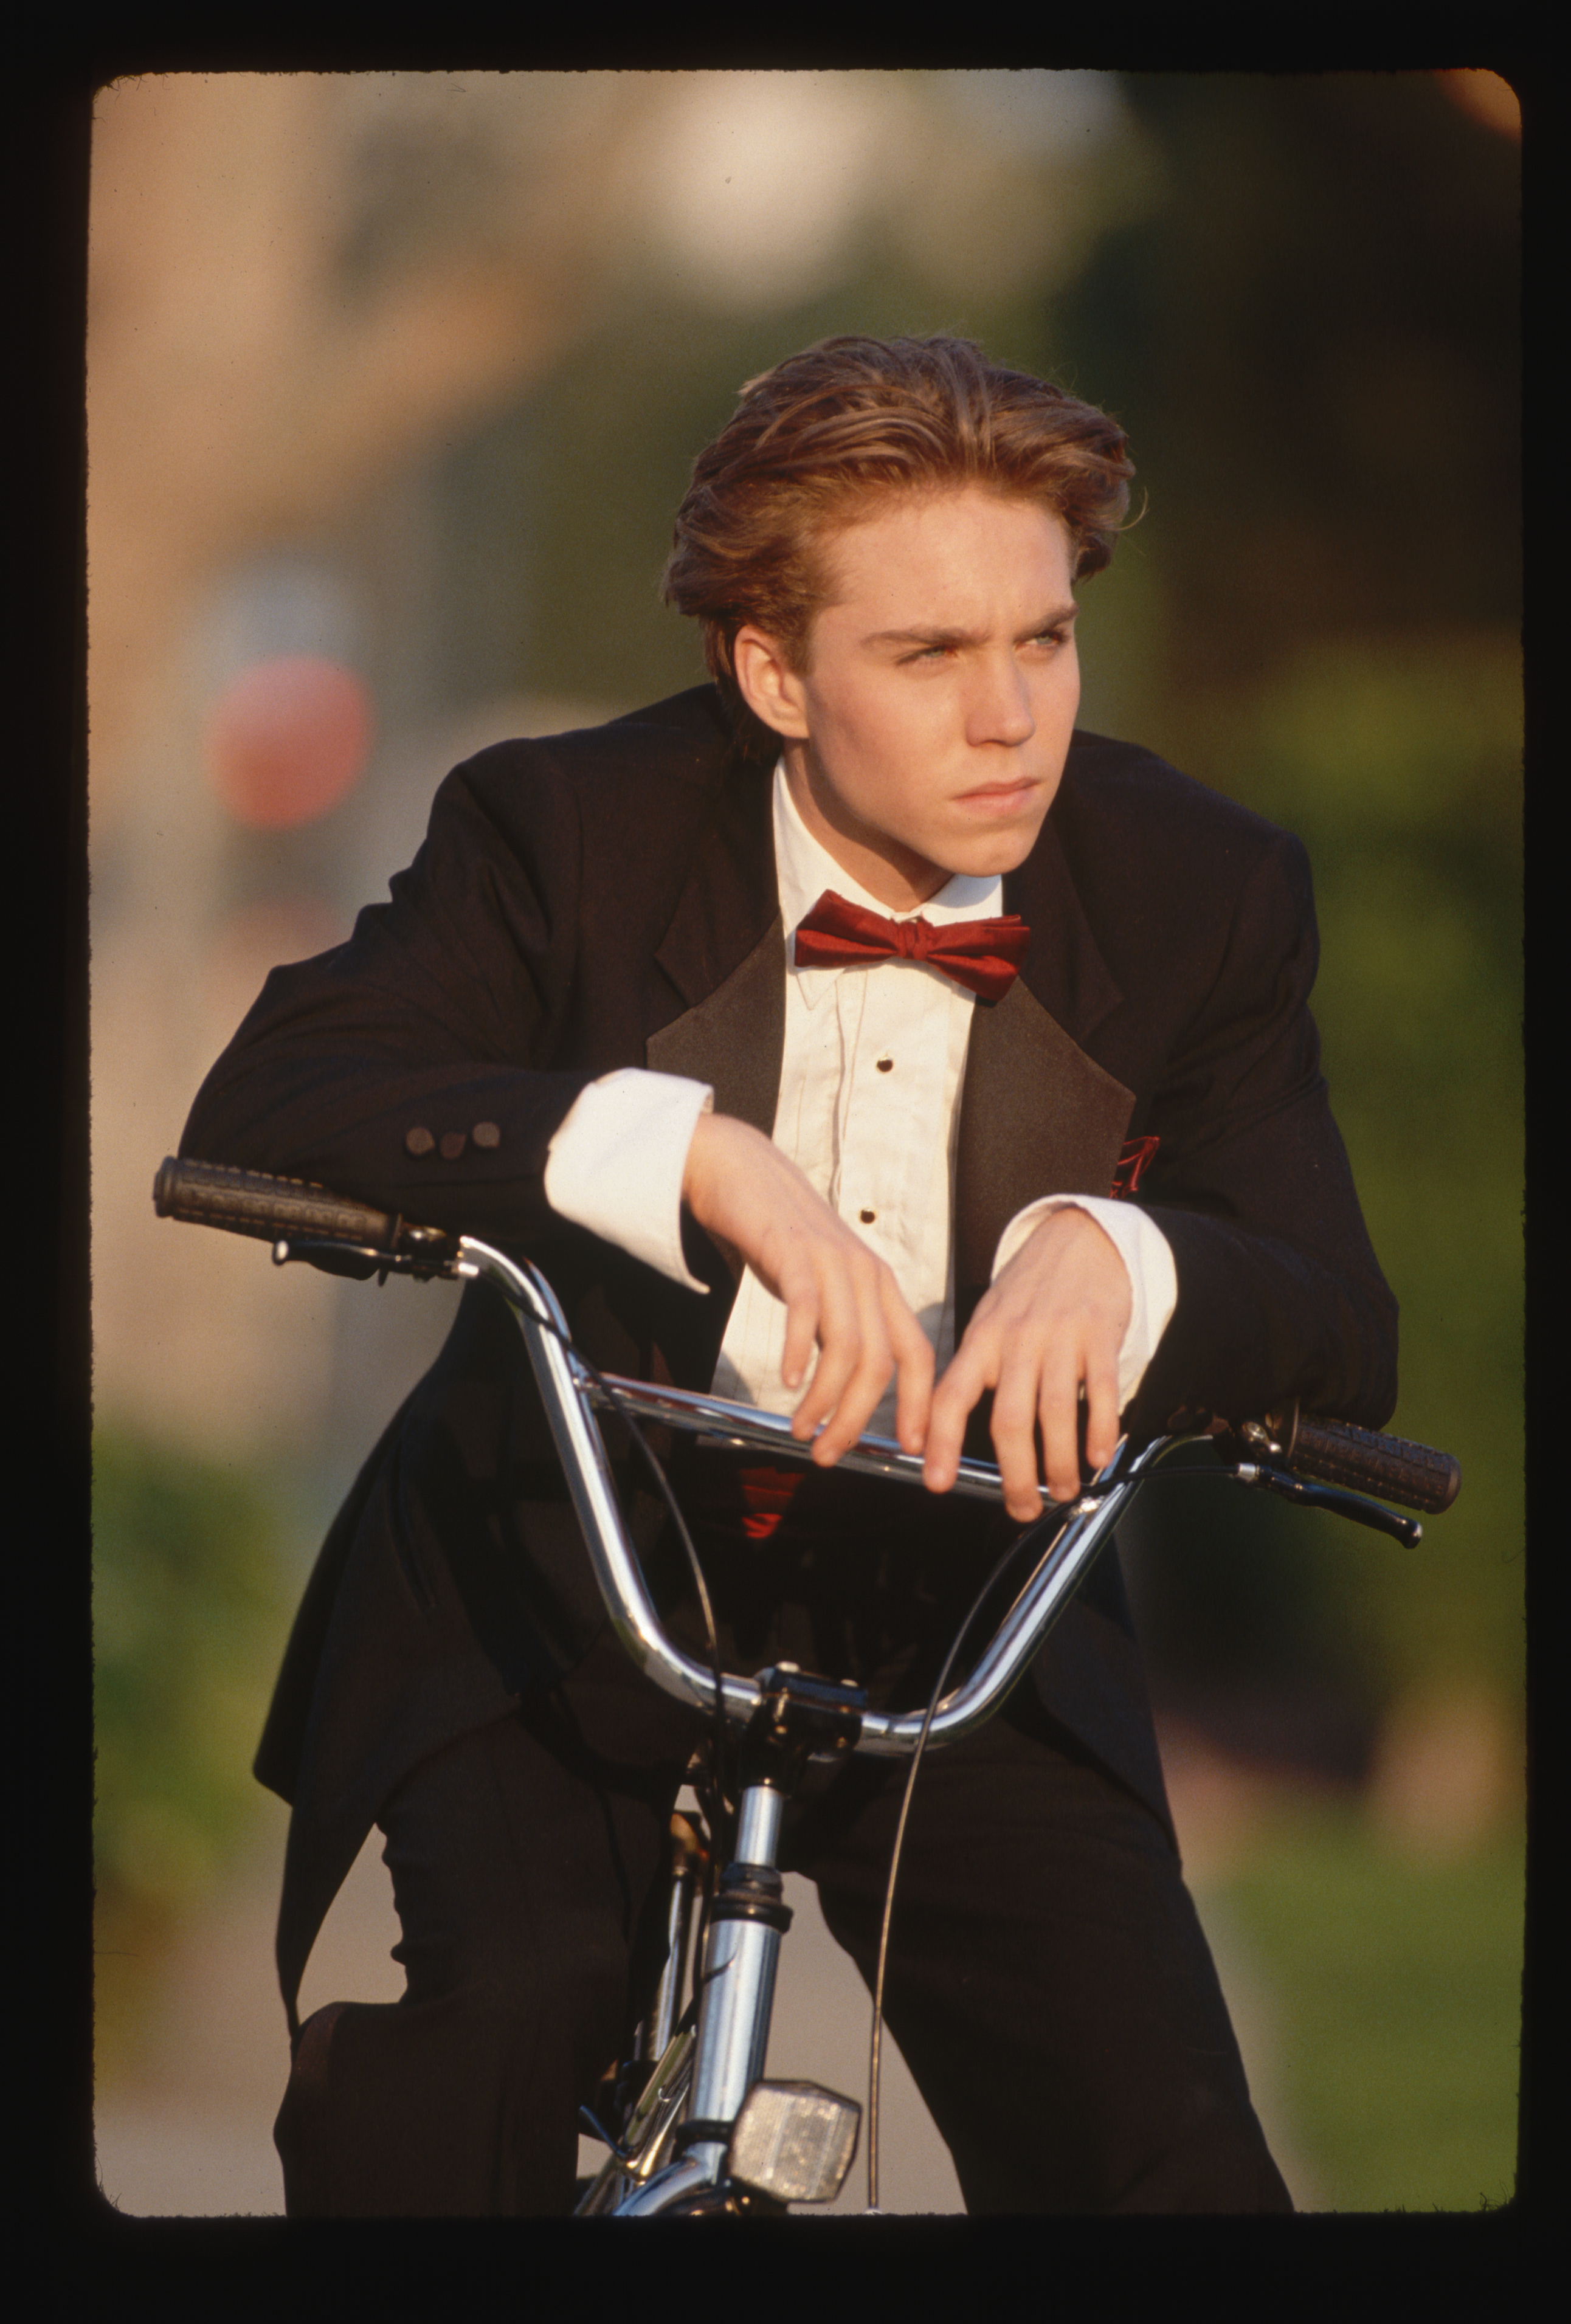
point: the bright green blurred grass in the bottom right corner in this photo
(1396, 2009)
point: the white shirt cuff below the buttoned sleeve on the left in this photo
(617, 1163)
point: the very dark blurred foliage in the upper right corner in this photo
(1314, 343)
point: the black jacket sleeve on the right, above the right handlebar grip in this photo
(1279, 1289)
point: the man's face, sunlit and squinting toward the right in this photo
(931, 729)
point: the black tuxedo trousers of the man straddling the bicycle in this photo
(1049, 1981)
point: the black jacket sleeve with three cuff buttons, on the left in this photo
(415, 1068)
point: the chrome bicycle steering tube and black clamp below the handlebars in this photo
(801, 1719)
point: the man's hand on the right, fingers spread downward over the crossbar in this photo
(1049, 1328)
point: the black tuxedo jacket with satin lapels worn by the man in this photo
(608, 898)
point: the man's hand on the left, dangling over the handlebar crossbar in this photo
(838, 1293)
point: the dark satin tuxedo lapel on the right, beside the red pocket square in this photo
(1038, 1114)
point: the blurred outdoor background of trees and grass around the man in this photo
(394, 387)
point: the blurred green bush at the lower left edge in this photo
(192, 1600)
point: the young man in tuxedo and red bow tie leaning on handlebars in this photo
(696, 1007)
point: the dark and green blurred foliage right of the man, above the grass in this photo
(1314, 345)
